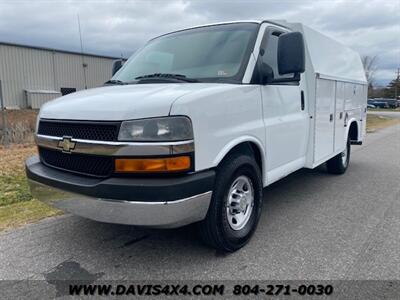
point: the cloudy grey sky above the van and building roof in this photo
(119, 27)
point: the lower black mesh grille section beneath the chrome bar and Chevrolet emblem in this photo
(99, 166)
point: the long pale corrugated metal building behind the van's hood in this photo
(31, 76)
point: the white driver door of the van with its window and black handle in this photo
(285, 117)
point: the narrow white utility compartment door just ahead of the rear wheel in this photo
(339, 117)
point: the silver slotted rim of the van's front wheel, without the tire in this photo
(240, 202)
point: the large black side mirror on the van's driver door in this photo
(291, 53)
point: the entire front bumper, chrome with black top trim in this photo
(154, 202)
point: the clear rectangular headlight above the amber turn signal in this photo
(156, 130)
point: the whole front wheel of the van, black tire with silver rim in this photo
(218, 229)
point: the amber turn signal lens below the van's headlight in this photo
(148, 165)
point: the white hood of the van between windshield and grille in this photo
(121, 102)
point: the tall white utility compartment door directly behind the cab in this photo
(324, 119)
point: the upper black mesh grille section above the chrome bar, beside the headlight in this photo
(98, 131)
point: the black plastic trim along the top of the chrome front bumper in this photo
(129, 189)
